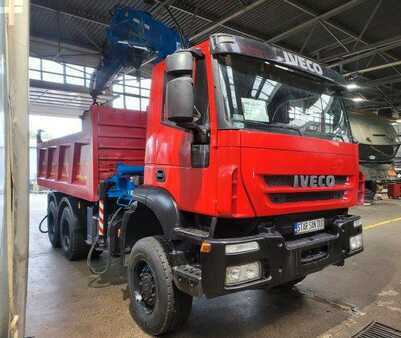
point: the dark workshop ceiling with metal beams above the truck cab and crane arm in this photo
(359, 38)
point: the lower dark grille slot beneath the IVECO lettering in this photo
(306, 196)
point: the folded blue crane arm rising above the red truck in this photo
(133, 39)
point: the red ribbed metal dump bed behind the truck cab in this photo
(75, 164)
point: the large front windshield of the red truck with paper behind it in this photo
(262, 95)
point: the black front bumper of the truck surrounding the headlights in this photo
(282, 261)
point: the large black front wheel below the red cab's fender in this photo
(156, 305)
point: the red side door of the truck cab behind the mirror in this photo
(177, 159)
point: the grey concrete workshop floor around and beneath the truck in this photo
(65, 300)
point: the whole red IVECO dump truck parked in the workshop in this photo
(239, 176)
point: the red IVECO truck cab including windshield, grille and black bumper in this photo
(250, 166)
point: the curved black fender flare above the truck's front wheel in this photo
(163, 205)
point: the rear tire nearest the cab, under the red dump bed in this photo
(72, 236)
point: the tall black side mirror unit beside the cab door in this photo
(180, 89)
